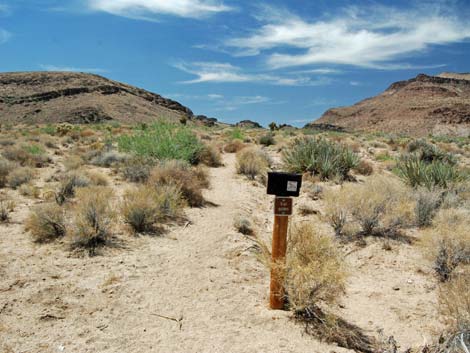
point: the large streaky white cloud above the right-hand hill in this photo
(366, 37)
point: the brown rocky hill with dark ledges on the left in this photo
(54, 97)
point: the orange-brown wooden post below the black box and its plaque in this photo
(276, 298)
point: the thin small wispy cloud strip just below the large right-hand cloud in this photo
(224, 72)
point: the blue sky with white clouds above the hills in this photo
(283, 61)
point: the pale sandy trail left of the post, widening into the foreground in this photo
(197, 289)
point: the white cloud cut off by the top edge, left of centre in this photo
(147, 9)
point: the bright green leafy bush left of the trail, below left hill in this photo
(164, 141)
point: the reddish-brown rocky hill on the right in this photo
(419, 106)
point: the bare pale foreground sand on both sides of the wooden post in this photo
(198, 288)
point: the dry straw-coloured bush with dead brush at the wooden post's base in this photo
(314, 277)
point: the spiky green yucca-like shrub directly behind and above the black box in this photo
(320, 157)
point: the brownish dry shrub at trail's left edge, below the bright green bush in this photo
(189, 179)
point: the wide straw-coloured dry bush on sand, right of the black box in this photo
(379, 206)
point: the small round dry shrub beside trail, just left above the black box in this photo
(252, 162)
